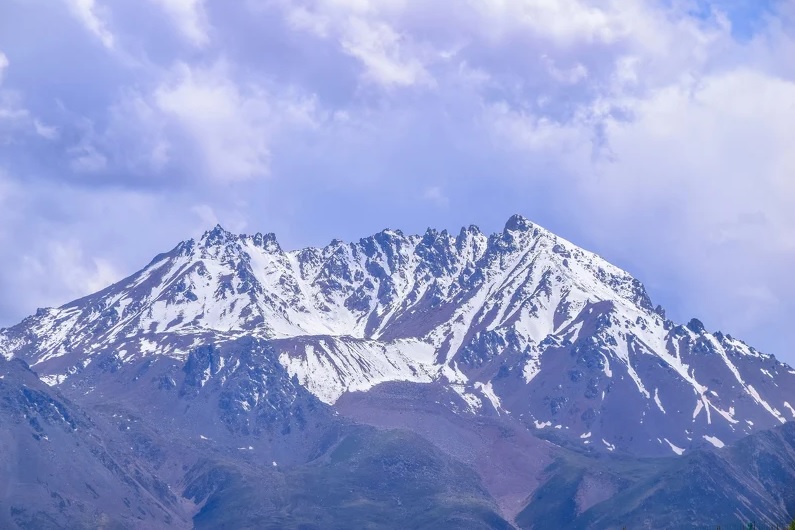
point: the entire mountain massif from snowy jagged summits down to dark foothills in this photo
(501, 371)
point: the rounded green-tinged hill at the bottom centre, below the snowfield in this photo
(370, 479)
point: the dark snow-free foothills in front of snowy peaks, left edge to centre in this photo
(126, 463)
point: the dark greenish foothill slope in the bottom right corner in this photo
(749, 481)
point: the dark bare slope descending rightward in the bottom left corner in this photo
(61, 468)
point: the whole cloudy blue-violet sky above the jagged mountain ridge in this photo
(656, 133)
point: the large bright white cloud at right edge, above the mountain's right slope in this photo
(718, 152)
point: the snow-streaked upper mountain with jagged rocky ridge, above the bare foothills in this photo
(520, 323)
